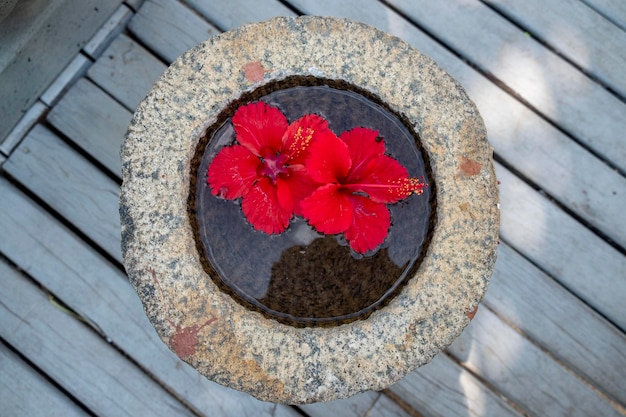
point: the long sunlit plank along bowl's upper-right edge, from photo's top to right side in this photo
(538, 150)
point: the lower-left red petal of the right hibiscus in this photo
(328, 209)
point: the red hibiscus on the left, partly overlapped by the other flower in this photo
(266, 167)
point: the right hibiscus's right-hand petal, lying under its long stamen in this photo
(383, 179)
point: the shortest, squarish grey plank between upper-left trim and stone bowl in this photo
(126, 71)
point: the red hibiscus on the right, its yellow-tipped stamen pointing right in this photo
(359, 180)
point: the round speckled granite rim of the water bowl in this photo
(240, 348)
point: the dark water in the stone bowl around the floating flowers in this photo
(301, 277)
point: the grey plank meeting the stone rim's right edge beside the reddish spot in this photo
(570, 253)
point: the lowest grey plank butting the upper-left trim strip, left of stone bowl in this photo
(70, 185)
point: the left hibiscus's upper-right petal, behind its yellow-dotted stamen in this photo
(301, 133)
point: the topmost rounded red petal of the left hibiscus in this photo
(259, 125)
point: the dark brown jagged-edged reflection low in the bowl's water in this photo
(323, 280)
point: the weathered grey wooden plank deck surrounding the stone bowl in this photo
(549, 78)
